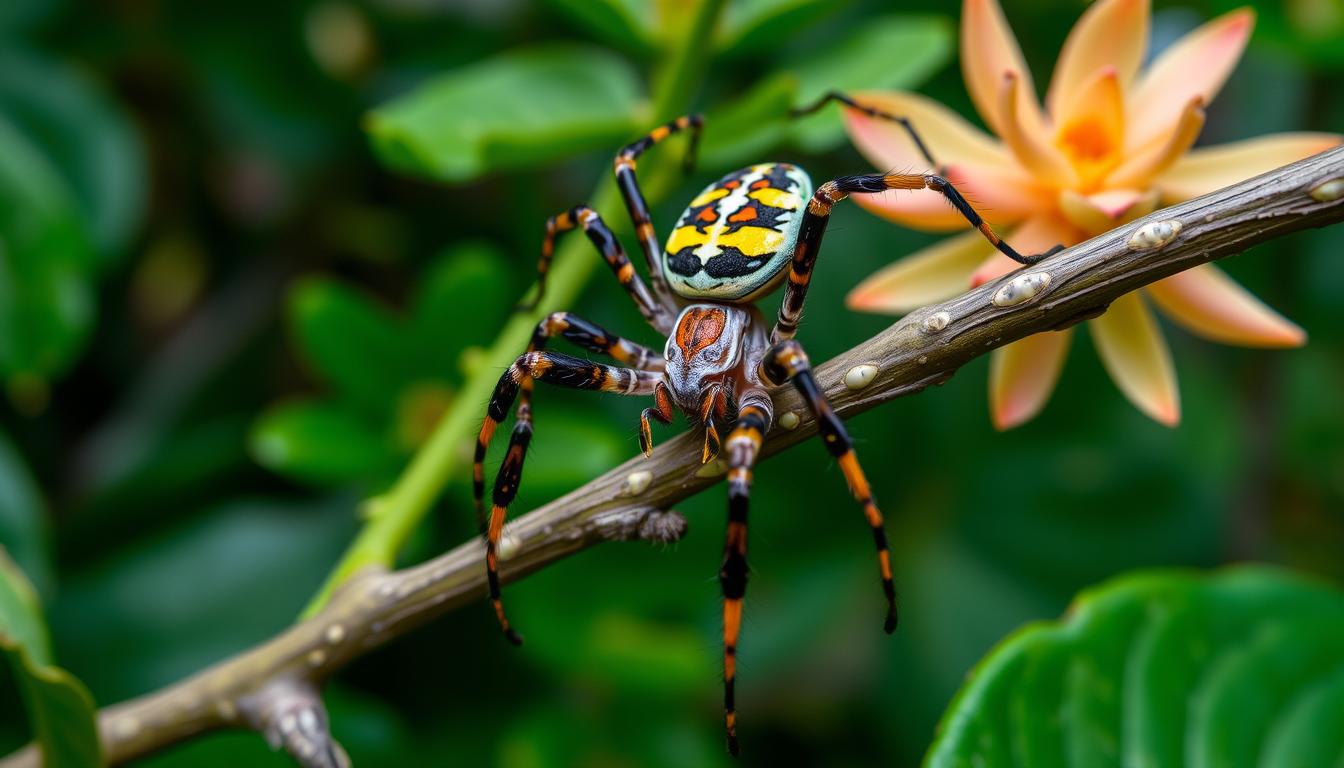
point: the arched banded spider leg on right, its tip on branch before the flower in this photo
(819, 216)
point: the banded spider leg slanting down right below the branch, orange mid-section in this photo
(788, 362)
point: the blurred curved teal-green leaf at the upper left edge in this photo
(88, 138)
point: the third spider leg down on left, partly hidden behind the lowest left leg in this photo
(584, 334)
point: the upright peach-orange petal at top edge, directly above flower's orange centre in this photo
(1111, 33)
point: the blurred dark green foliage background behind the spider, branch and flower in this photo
(253, 251)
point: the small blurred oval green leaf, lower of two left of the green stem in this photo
(319, 443)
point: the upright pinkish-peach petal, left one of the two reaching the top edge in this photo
(989, 50)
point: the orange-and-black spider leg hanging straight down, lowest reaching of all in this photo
(743, 446)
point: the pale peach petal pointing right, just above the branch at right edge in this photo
(1206, 170)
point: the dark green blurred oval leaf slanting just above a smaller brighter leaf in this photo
(357, 346)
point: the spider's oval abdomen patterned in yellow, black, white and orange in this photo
(736, 239)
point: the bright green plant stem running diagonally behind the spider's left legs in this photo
(394, 516)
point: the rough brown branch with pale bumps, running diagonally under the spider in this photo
(274, 687)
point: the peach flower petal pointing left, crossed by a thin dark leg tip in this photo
(947, 135)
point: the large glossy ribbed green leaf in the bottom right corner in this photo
(1162, 669)
